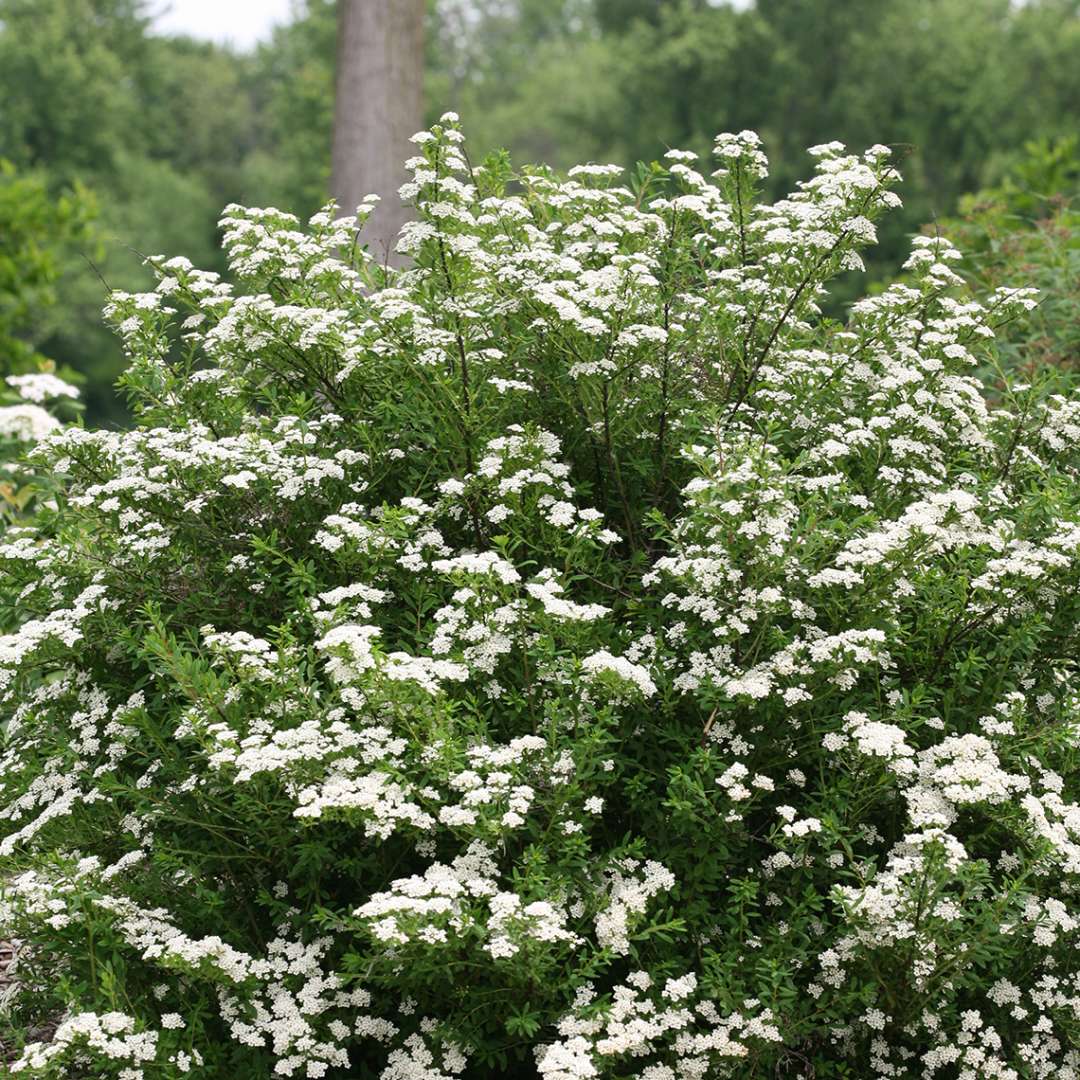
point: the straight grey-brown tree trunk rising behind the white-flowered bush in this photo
(379, 106)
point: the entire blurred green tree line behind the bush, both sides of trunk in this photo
(166, 131)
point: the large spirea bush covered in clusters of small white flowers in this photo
(570, 656)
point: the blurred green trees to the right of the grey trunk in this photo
(954, 86)
